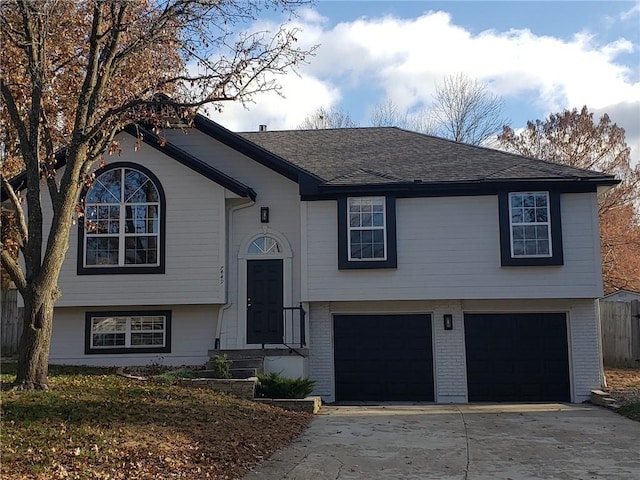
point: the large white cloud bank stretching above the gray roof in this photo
(405, 58)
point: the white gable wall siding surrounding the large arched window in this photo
(195, 244)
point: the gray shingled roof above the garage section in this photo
(388, 155)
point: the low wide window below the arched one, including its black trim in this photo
(132, 332)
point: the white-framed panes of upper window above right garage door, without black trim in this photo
(530, 224)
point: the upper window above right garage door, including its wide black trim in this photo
(530, 228)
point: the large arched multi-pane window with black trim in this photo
(122, 229)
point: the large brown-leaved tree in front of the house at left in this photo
(74, 74)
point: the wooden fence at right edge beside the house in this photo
(620, 332)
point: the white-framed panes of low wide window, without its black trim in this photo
(114, 332)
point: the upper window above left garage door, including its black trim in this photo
(367, 232)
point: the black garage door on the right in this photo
(517, 357)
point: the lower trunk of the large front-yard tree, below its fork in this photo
(33, 359)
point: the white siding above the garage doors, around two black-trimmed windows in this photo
(449, 248)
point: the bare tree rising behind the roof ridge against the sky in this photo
(465, 111)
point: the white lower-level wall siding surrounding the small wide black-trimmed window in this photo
(192, 336)
